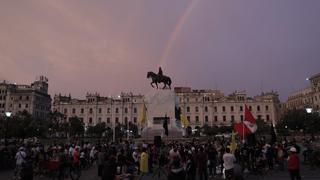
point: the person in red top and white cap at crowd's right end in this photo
(294, 164)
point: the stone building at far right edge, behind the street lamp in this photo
(305, 98)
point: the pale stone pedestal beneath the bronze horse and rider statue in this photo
(160, 105)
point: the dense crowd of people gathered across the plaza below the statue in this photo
(188, 160)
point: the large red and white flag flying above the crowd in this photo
(248, 126)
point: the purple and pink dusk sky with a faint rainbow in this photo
(108, 46)
